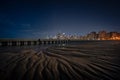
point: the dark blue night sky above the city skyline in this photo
(38, 19)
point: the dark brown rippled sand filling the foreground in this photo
(89, 61)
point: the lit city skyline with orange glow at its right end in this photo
(101, 35)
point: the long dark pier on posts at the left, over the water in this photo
(16, 42)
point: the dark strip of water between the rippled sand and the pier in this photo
(40, 47)
